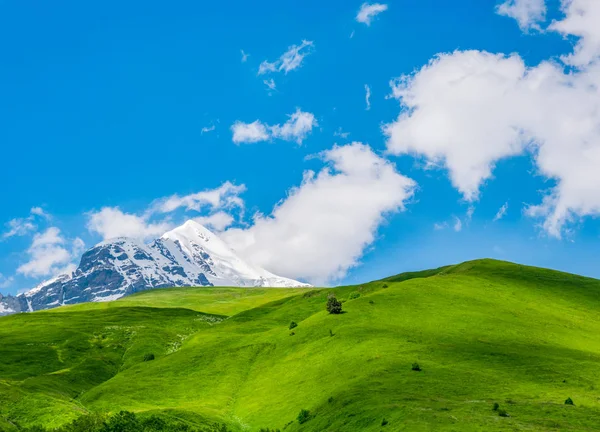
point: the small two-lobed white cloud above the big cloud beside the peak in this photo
(296, 128)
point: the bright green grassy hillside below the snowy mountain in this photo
(483, 332)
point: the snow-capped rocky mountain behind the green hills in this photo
(189, 255)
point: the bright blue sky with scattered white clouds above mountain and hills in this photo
(121, 106)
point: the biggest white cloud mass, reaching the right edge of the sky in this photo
(468, 110)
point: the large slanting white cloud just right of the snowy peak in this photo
(324, 225)
